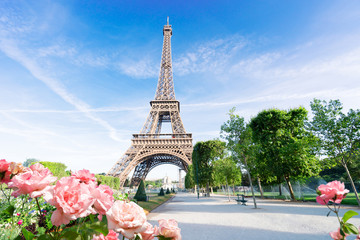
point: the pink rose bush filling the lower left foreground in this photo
(71, 209)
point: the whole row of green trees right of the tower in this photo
(280, 145)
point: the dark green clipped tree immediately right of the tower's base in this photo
(204, 154)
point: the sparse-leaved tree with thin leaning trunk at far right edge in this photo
(339, 133)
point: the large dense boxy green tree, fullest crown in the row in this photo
(285, 145)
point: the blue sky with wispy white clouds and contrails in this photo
(76, 77)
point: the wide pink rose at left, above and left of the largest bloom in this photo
(34, 181)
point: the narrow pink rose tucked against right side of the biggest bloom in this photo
(104, 198)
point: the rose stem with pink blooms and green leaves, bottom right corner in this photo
(331, 195)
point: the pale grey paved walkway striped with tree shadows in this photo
(217, 218)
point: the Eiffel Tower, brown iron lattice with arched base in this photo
(151, 148)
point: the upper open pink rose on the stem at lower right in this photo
(333, 191)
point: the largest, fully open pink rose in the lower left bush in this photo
(72, 199)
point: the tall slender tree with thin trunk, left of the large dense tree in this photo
(238, 136)
